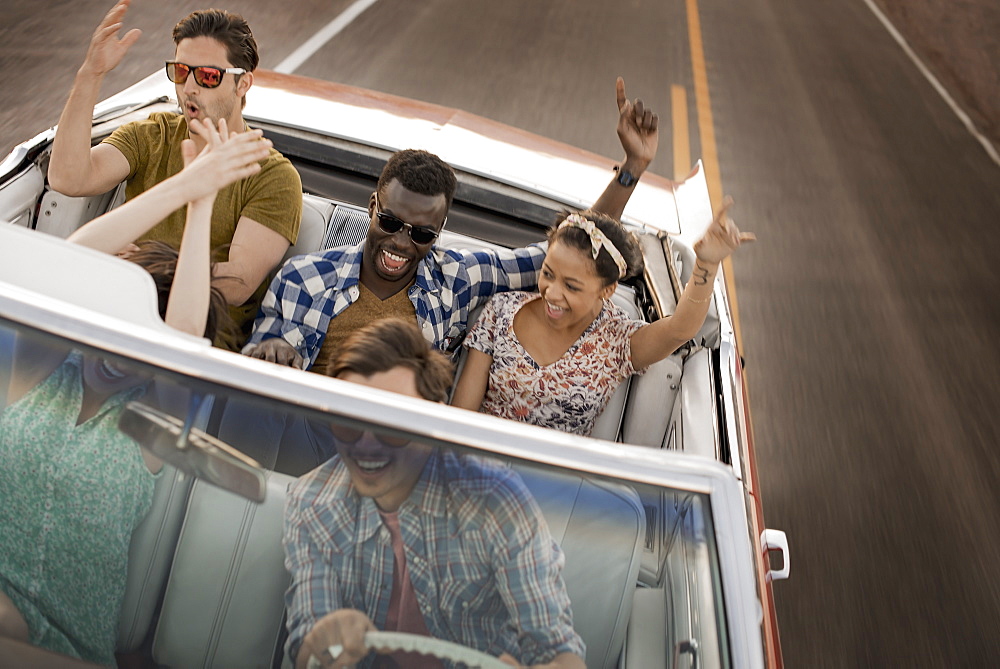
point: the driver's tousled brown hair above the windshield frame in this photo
(395, 342)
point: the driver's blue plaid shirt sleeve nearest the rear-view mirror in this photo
(315, 588)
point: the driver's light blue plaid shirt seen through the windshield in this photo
(485, 570)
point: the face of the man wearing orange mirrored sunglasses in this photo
(217, 103)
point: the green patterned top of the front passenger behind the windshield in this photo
(70, 496)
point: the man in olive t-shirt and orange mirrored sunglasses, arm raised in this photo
(212, 70)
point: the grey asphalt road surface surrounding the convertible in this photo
(868, 308)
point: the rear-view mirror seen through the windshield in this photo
(192, 451)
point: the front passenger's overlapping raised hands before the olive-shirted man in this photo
(226, 158)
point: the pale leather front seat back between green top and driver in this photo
(224, 603)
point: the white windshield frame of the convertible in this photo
(177, 354)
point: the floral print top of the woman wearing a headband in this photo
(567, 395)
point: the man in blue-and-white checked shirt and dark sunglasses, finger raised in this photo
(318, 299)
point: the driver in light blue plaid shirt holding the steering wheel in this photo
(398, 536)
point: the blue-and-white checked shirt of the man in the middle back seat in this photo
(311, 289)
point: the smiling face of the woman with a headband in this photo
(571, 291)
